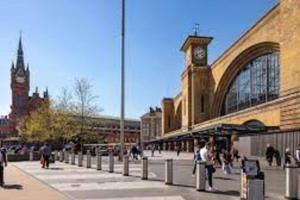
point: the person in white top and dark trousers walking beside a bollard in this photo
(206, 155)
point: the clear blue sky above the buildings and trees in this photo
(68, 39)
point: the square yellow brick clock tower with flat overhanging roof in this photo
(195, 80)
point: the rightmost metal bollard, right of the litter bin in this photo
(291, 187)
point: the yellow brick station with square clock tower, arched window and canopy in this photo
(248, 97)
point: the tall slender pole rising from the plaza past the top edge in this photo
(122, 80)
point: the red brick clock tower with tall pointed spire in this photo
(19, 87)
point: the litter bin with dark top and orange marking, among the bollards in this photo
(252, 180)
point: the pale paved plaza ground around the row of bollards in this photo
(73, 182)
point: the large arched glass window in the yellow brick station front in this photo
(256, 83)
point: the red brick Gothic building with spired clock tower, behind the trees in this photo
(22, 103)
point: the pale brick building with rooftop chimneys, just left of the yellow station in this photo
(151, 125)
